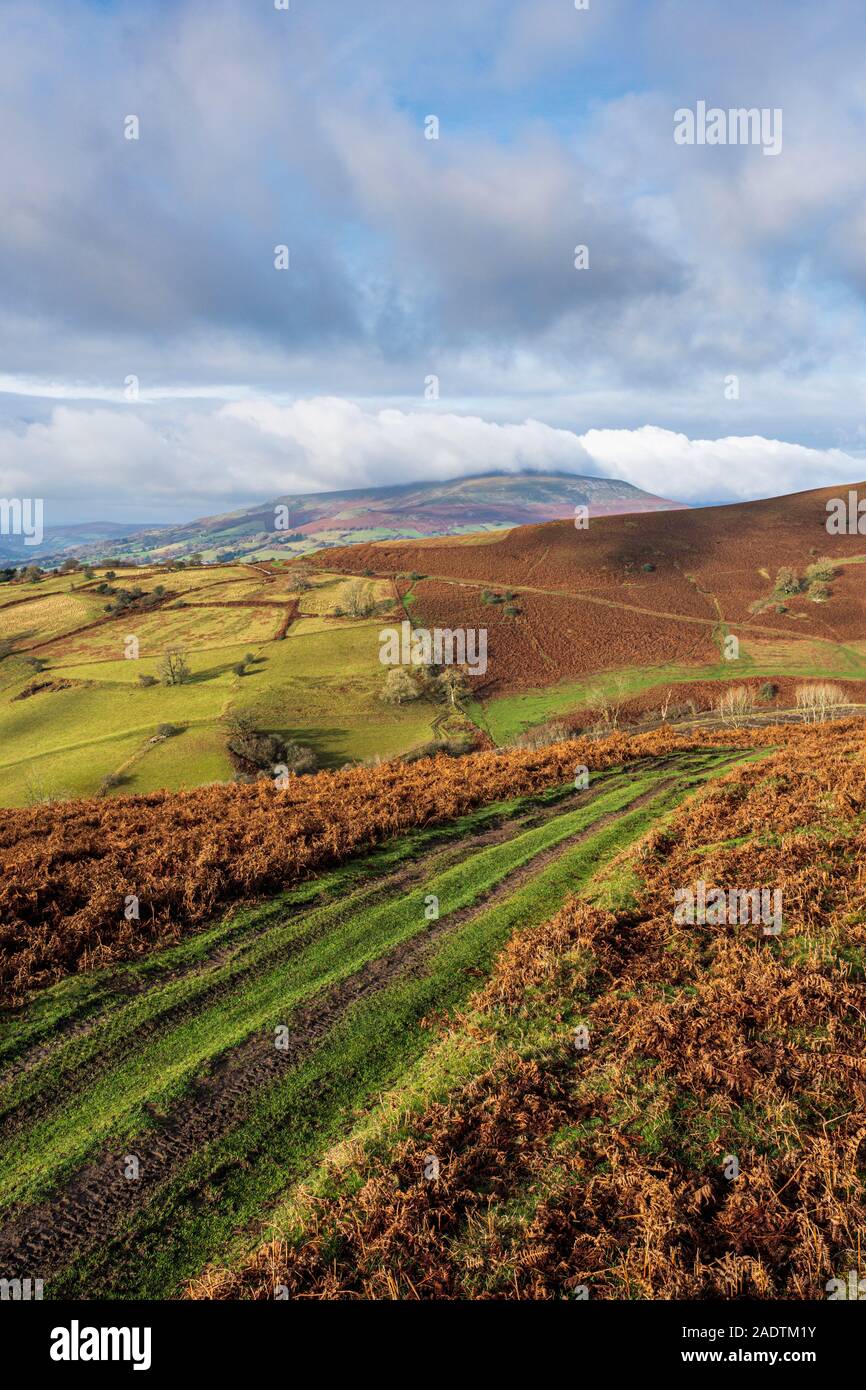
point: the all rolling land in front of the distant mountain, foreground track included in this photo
(419, 1025)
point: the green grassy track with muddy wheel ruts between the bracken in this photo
(174, 1060)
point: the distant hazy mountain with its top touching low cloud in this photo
(301, 522)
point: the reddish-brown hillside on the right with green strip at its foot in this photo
(647, 601)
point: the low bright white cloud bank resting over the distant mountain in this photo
(149, 465)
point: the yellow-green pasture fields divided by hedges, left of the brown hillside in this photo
(81, 717)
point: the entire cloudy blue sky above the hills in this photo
(156, 365)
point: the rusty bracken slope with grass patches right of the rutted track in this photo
(632, 1107)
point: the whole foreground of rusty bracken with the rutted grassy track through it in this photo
(283, 1065)
